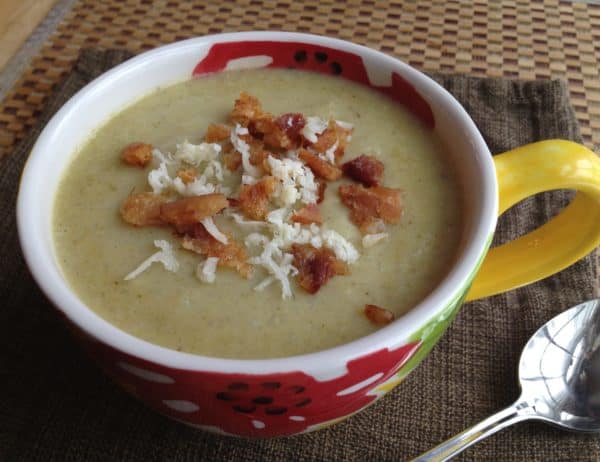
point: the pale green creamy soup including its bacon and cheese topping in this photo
(257, 214)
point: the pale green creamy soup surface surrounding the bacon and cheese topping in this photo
(229, 318)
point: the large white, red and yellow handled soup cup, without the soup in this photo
(291, 395)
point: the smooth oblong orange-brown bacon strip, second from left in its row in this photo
(190, 210)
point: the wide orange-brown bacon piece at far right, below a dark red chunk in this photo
(368, 206)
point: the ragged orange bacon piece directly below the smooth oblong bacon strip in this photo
(231, 255)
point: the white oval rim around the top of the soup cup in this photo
(59, 293)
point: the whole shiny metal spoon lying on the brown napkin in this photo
(559, 373)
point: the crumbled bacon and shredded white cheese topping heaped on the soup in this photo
(289, 145)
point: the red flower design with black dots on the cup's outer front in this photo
(254, 405)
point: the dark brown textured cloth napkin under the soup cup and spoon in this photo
(56, 405)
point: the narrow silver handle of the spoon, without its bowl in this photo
(445, 451)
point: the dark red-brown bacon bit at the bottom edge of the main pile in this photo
(316, 266)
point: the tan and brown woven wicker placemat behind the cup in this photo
(520, 39)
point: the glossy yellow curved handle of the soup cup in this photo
(572, 234)
